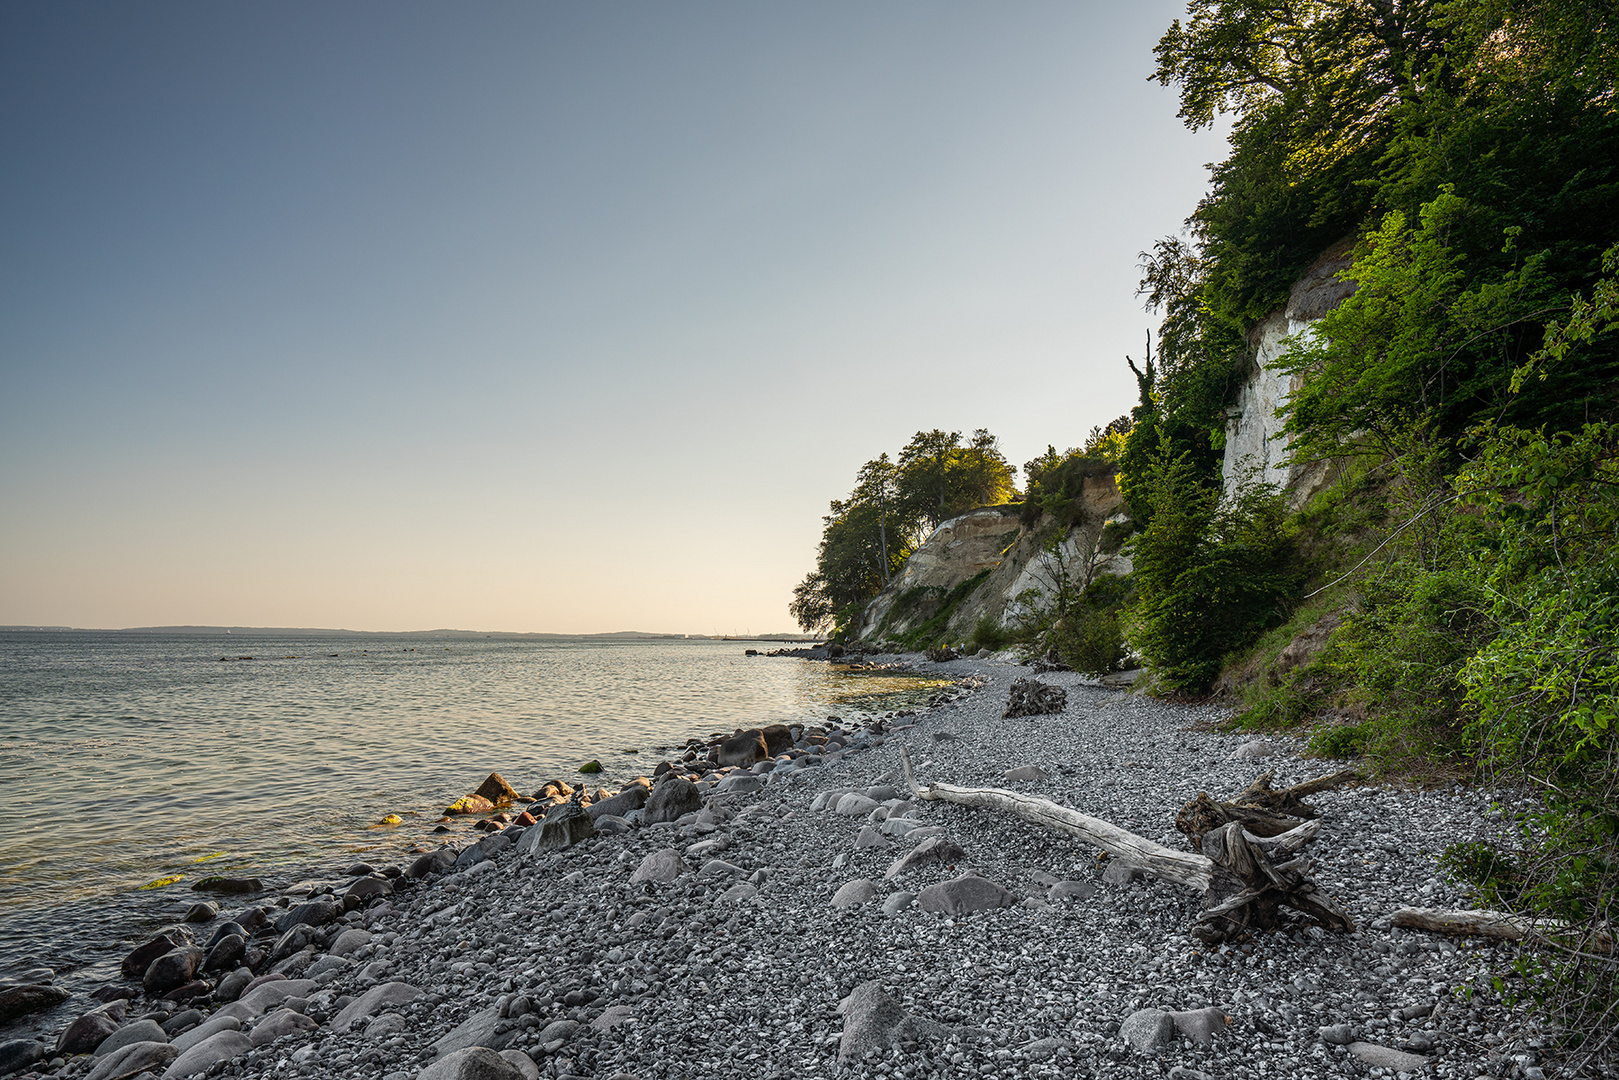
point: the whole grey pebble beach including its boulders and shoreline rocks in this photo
(776, 929)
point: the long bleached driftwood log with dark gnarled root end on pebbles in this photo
(1246, 880)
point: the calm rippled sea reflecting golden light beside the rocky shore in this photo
(129, 759)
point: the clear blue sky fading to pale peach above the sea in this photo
(543, 317)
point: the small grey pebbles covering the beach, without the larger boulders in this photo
(645, 976)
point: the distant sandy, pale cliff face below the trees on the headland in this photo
(1014, 559)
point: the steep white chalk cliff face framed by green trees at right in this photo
(1256, 449)
